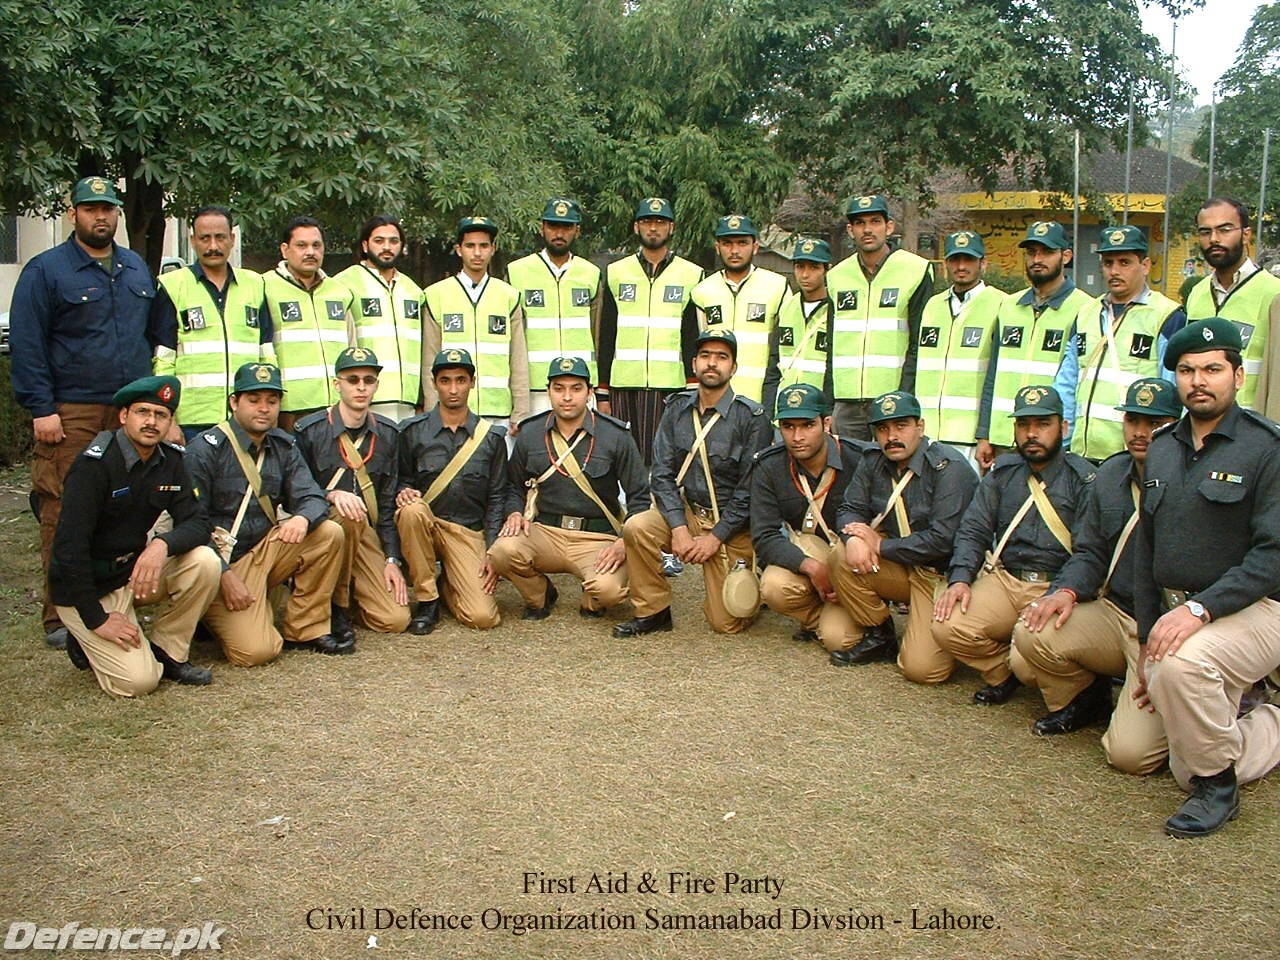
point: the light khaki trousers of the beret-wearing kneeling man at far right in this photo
(1199, 691)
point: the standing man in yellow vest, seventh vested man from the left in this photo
(744, 299)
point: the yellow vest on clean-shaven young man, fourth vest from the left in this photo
(484, 330)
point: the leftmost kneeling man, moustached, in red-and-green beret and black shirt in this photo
(103, 563)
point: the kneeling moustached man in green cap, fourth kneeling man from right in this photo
(899, 520)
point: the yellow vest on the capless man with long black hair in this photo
(390, 323)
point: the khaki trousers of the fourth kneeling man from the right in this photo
(920, 659)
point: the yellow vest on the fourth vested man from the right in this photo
(952, 363)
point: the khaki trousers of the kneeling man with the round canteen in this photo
(648, 536)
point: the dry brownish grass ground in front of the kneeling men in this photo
(435, 772)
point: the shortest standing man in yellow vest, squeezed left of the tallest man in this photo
(804, 322)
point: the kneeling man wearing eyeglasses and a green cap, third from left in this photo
(353, 452)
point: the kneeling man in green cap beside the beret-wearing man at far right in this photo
(1071, 652)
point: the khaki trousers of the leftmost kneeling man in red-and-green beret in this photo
(191, 582)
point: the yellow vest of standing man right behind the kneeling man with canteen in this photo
(752, 314)
